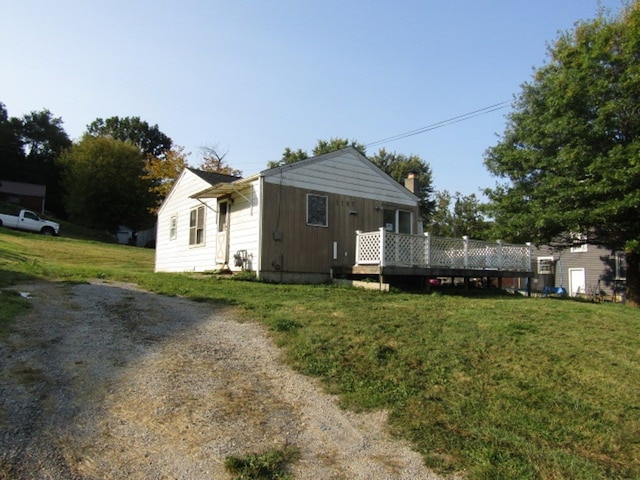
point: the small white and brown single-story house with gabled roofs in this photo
(293, 223)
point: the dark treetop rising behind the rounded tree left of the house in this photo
(149, 139)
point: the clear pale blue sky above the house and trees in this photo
(254, 77)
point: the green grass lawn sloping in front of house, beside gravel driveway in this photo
(496, 386)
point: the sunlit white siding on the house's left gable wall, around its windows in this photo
(177, 255)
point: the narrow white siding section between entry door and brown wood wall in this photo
(244, 225)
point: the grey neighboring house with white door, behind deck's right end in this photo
(582, 270)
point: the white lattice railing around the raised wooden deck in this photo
(403, 250)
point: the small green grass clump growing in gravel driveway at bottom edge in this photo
(271, 465)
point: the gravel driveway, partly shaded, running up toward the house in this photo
(103, 380)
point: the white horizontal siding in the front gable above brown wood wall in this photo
(344, 174)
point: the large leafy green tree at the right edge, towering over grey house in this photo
(570, 154)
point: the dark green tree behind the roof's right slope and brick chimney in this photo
(399, 166)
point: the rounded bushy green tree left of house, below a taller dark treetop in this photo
(104, 186)
